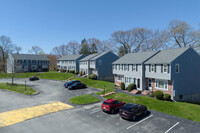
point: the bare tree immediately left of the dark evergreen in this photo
(73, 47)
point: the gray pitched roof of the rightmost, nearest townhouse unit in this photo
(166, 56)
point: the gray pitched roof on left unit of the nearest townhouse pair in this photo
(135, 58)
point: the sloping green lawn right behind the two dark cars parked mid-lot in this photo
(97, 84)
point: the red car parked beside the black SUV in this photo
(111, 105)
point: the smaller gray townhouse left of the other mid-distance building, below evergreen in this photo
(70, 62)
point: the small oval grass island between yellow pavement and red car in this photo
(84, 99)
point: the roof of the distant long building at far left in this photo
(29, 57)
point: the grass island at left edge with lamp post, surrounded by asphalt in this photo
(18, 88)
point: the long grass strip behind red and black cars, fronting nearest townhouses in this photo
(181, 109)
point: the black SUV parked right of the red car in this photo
(131, 111)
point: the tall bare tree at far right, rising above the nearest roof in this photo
(183, 34)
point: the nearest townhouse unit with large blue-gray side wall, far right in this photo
(175, 71)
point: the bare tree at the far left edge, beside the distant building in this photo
(6, 47)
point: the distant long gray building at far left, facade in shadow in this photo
(27, 63)
